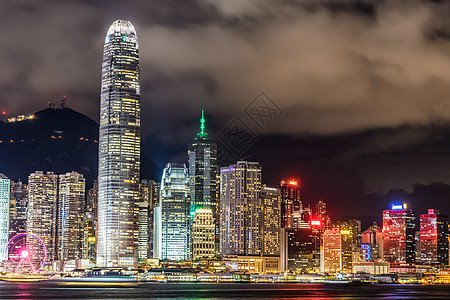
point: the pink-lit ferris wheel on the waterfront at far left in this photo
(25, 253)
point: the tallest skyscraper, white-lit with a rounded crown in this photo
(119, 147)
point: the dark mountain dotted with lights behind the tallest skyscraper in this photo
(58, 140)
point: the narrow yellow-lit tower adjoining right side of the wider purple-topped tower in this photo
(271, 221)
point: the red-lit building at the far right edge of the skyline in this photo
(434, 238)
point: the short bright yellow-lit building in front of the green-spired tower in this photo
(203, 234)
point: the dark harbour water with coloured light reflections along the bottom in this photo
(148, 290)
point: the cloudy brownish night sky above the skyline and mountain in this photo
(362, 88)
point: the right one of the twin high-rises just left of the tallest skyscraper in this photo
(70, 216)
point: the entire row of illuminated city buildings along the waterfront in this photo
(199, 211)
